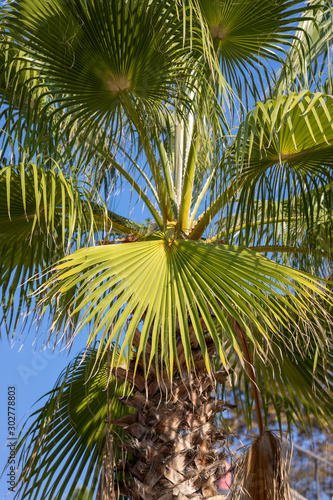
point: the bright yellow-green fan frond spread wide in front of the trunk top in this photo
(166, 284)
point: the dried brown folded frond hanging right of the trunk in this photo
(262, 472)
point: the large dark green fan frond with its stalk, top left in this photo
(106, 66)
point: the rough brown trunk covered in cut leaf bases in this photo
(172, 452)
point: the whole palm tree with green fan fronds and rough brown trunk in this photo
(217, 115)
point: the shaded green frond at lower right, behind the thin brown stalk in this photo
(298, 383)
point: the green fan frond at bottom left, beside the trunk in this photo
(61, 444)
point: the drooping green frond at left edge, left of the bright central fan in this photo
(42, 215)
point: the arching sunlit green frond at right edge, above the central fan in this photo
(284, 150)
